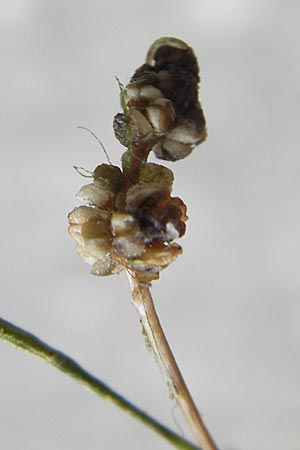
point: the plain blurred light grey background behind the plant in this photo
(230, 305)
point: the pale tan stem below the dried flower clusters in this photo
(158, 345)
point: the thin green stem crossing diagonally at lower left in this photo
(27, 342)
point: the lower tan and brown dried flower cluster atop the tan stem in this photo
(138, 239)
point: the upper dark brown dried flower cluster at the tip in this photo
(162, 100)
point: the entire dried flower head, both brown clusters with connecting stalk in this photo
(128, 218)
